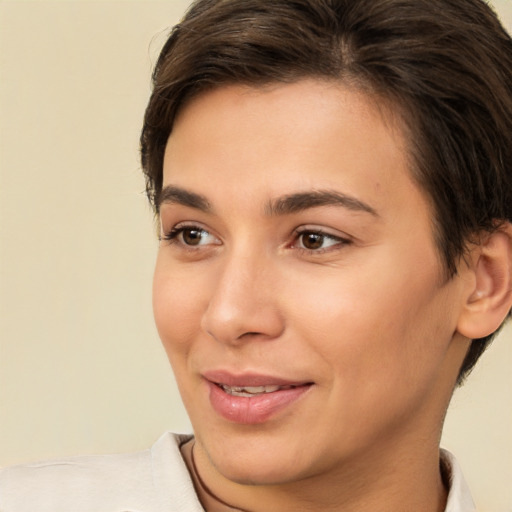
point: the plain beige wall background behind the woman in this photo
(81, 367)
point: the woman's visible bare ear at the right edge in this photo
(489, 292)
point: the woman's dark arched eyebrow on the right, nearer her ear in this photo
(300, 201)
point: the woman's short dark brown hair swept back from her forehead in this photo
(446, 66)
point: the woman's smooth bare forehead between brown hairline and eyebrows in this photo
(309, 130)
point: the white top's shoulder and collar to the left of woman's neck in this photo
(153, 480)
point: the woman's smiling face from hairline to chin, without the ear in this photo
(298, 291)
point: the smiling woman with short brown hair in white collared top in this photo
(332, 183)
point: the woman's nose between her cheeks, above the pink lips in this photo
(244, 302)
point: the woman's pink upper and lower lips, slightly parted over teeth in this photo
(251, 409)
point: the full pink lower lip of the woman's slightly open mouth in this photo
(255, 409)
